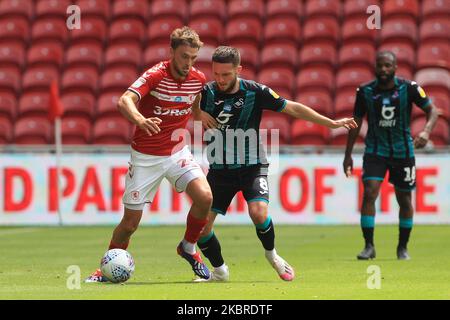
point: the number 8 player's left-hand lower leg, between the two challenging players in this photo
(210, 246)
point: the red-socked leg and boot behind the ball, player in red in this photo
(120, 238)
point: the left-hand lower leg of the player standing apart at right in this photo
(371, 191)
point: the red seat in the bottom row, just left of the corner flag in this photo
(32, 130)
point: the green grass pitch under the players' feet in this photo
(34, 262)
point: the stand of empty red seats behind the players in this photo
(316, 52)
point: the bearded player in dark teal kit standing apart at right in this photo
(387, 102)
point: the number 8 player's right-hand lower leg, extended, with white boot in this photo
(258, 211)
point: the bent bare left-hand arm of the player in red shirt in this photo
(127, 107)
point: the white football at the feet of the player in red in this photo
(117, 265)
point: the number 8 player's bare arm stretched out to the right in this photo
(300, 111)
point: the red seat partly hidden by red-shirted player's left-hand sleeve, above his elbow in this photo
(117, 78)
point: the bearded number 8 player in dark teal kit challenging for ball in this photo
(232, 105)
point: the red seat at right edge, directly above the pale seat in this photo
(434, 55)
